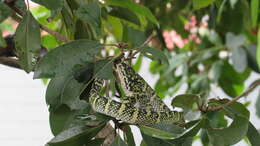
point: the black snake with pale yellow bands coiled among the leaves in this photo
(141, 106)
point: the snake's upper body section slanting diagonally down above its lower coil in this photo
(135, 86)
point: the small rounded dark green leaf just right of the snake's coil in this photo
(185, 100)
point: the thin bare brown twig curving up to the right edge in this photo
(249, 90)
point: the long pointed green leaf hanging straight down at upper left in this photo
(27, 41)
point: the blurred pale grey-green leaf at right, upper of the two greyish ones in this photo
(234, 41)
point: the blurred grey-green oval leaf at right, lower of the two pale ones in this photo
(239, 59)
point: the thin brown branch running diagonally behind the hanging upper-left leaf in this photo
(59, 36)
